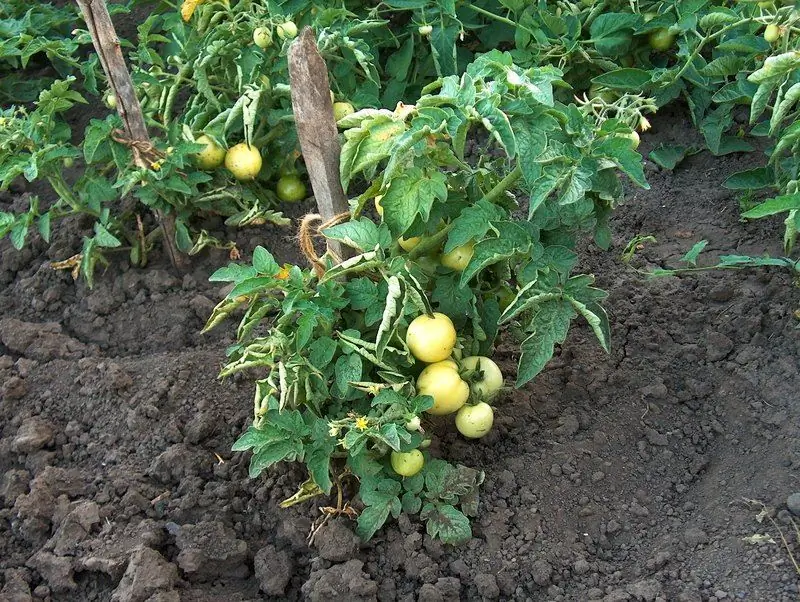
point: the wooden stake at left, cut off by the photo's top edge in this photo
(106, 43)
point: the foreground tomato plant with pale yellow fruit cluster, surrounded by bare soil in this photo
(350, 360)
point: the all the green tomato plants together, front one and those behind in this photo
(339, 384)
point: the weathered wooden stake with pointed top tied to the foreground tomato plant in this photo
(316, 128)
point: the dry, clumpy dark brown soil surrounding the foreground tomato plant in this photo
(612, 477)
